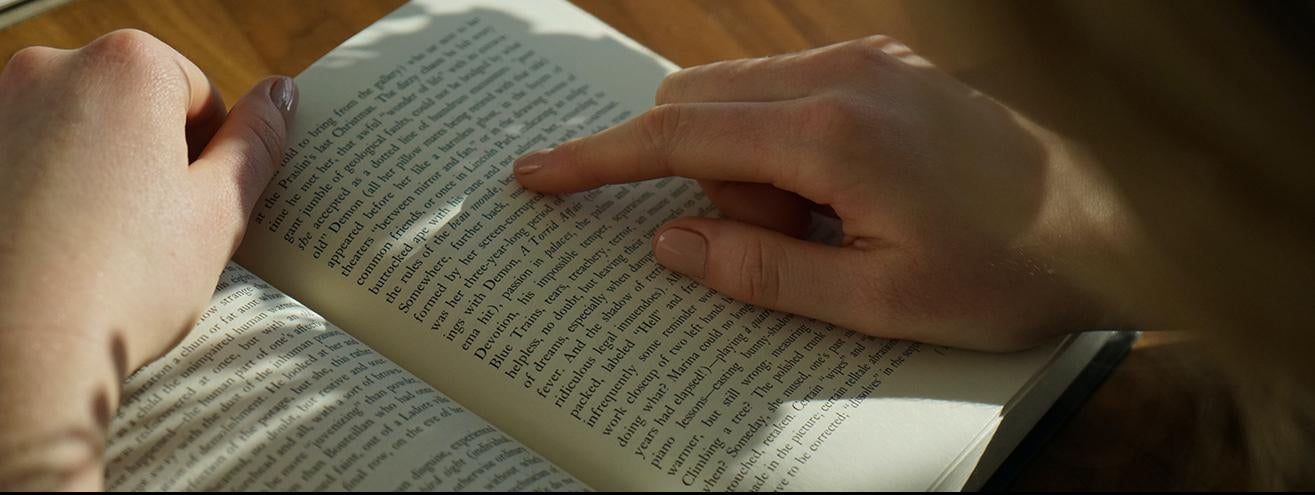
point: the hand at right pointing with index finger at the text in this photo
(957, 211)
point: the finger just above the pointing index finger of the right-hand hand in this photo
(779, 78)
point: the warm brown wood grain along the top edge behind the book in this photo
(237, 43)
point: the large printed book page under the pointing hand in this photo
(396, 217)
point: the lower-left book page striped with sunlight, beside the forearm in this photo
(265, 396)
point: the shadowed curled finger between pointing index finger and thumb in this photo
(761, 205)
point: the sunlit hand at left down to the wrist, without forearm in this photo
(126, 188)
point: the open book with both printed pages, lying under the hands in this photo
(406, 317)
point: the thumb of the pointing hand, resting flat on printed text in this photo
(766, 268)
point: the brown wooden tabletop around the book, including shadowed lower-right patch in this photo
(1134, 434)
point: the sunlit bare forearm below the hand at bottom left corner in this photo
(60, 392)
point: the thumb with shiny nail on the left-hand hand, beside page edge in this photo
(247, 151)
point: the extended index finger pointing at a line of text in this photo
(708, 142)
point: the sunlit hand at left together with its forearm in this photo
(126, 185)
